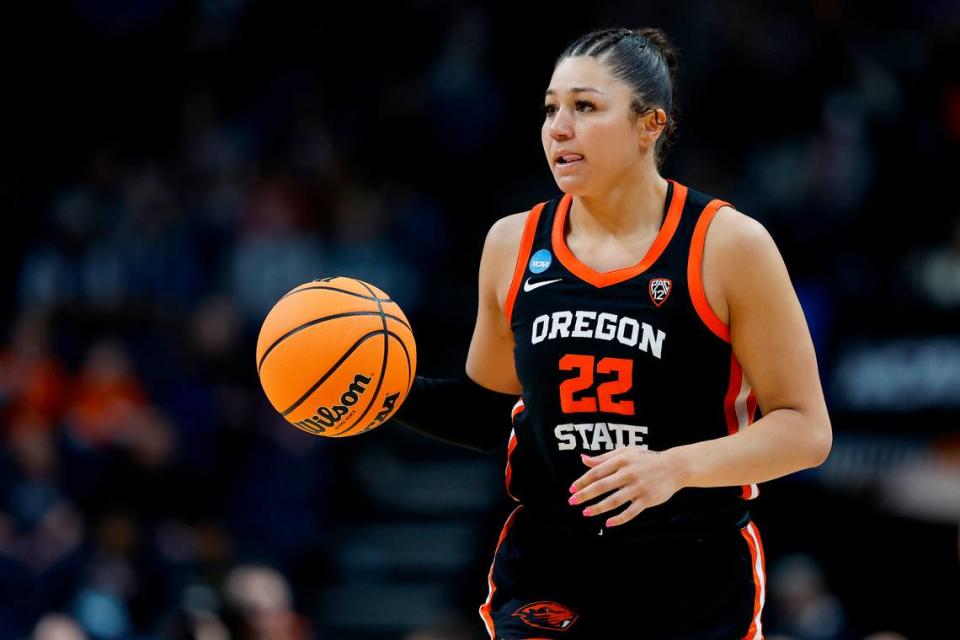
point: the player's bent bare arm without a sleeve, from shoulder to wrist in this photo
(770, 339)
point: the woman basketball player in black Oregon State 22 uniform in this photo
(641, 322)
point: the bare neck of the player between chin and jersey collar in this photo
(635, 205)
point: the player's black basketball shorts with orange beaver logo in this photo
(546, 585)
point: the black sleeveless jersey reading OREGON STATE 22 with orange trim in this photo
(633, 356)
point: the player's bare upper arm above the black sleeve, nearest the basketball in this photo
(490, 358)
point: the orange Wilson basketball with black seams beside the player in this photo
(336, 357)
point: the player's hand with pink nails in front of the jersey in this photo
(644, 478)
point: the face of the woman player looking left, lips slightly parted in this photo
(587, 119)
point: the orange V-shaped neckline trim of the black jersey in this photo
(597, 279)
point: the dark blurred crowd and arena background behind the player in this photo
(172, 168)
